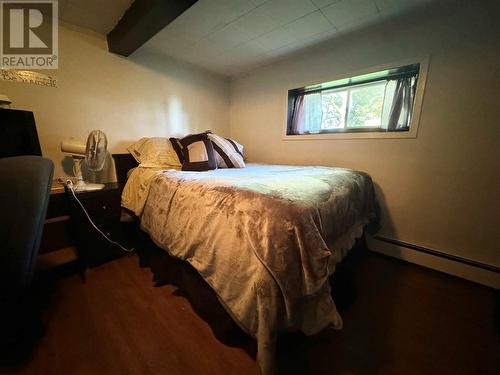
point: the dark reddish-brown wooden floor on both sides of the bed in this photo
(404, 320)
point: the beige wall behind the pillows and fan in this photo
(127, 98)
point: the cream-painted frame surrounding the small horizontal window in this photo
(365, 132)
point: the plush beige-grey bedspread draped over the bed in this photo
(265, 238)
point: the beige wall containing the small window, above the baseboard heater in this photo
(440, 190)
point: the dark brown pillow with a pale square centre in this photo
(198, 153)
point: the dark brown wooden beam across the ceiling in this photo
(142, 21)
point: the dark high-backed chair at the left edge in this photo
(25, 183)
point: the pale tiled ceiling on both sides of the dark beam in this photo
(233, 37)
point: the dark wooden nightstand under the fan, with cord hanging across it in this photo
(104, 208)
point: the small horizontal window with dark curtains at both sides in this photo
(381, 101)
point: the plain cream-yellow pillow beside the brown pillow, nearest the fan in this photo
(154, 152)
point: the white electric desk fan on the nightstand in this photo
(93, 152)
